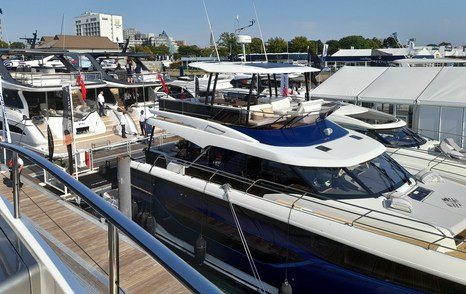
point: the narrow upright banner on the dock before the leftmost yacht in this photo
(68, 124)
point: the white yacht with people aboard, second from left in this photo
(133, 91)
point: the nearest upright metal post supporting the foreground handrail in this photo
(113, 259)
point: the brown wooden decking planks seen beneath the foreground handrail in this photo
(139, 273)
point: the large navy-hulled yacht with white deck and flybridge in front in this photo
(281, 198)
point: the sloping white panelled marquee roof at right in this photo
(439, 86)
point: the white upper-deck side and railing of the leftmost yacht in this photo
(49, 77)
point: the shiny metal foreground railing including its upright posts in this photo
(117, 221)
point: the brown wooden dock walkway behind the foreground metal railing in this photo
(85, 238)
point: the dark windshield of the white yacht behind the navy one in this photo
(399, 137)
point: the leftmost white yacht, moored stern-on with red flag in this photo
(33, 98)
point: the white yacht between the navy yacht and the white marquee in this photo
(413, 151)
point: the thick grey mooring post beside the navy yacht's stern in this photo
(124, 185)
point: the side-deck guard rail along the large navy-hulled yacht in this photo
(394, 225)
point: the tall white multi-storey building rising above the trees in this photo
(99, 24)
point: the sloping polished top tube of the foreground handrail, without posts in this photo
(173, 263)
